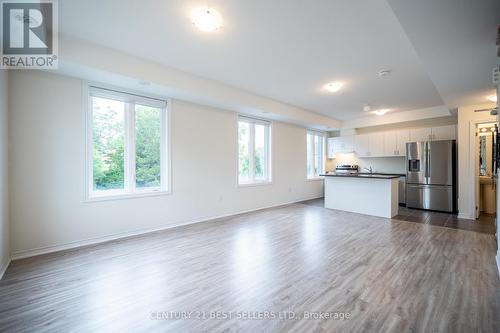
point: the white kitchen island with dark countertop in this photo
(364, 193)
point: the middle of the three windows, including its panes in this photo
(254, 151)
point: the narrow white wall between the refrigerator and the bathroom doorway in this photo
(466, 158)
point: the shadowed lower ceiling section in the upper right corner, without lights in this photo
(455, 40)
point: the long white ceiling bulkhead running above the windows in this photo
(117, 68)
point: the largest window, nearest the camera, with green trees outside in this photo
(127, 144)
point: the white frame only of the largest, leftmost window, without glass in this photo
(130, 98)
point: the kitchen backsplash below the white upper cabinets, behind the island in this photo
(378, 164)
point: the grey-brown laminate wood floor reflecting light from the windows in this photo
(264, 272)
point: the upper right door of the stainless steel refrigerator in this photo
(440, 163)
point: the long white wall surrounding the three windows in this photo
(47, 167)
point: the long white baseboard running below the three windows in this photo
(91, 241)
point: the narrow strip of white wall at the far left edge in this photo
(4, 212)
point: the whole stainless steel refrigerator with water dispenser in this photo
(431, 175)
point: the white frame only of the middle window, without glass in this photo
(268, 165)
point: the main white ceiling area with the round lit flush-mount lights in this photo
(282, 49)
